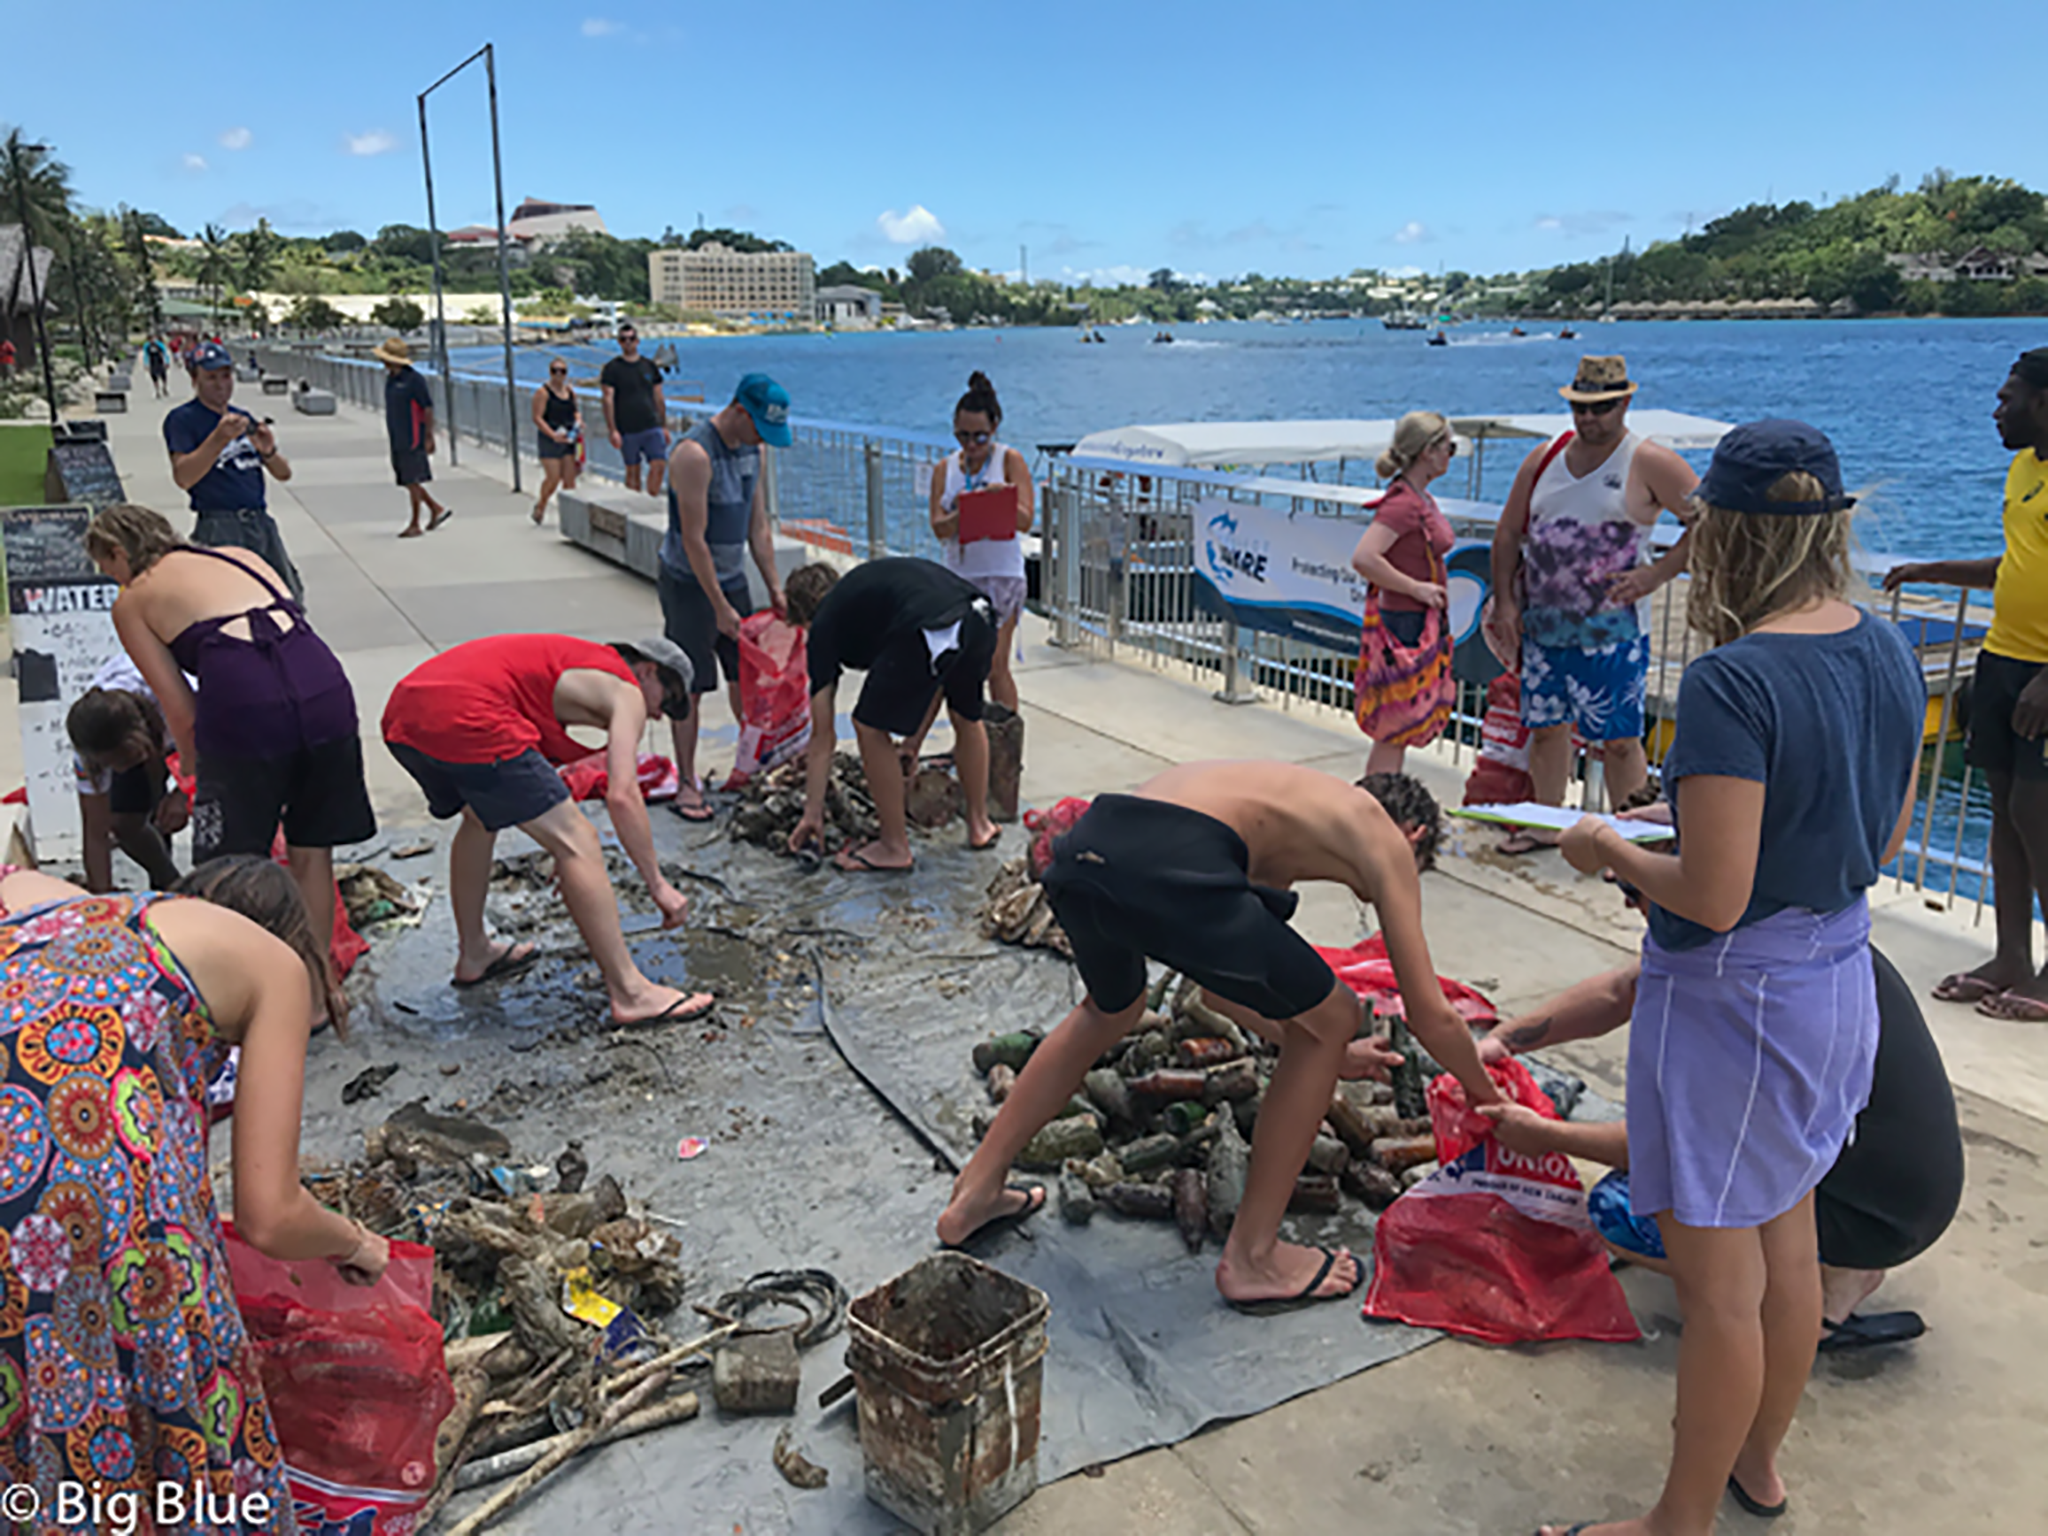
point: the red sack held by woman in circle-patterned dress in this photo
(357, 1383)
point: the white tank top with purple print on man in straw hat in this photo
(1578, 540)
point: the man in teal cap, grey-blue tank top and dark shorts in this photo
(718, 513)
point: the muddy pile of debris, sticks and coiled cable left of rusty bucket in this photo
(550, 1287)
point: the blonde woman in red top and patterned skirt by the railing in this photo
(1404, 663)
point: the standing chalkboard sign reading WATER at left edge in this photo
(62, 615)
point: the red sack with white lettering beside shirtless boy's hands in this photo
(1496, 1246)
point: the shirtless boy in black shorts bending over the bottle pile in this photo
(1197, 871)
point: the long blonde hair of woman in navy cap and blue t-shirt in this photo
(1746, 566)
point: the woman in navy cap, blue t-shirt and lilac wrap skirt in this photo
(1756, 1019)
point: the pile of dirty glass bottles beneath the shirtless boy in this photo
(1164, 1125)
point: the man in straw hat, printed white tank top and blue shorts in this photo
(1568, 577)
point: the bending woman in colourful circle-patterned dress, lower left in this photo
(124, 1361)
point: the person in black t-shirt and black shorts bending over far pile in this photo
(921, 634)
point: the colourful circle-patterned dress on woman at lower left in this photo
(124, 1361)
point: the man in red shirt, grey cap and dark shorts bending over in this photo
(484, 726)
